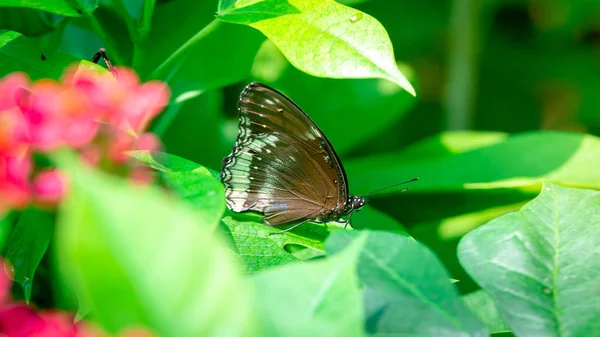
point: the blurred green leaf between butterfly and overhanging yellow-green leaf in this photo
(365, 106)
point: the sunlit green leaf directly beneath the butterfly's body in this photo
(258, 249)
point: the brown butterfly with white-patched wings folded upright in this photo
(283, 166)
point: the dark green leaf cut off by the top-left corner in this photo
(61, 7)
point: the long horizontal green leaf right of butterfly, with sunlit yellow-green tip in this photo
(567, 158)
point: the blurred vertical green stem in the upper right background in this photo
(462, 63)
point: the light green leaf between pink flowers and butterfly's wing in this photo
(195, 184)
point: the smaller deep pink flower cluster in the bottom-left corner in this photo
(20, 320)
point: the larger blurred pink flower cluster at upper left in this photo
(95, 113)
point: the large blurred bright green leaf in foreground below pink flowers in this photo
(138, 257)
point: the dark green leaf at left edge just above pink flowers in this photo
(17, 53)
